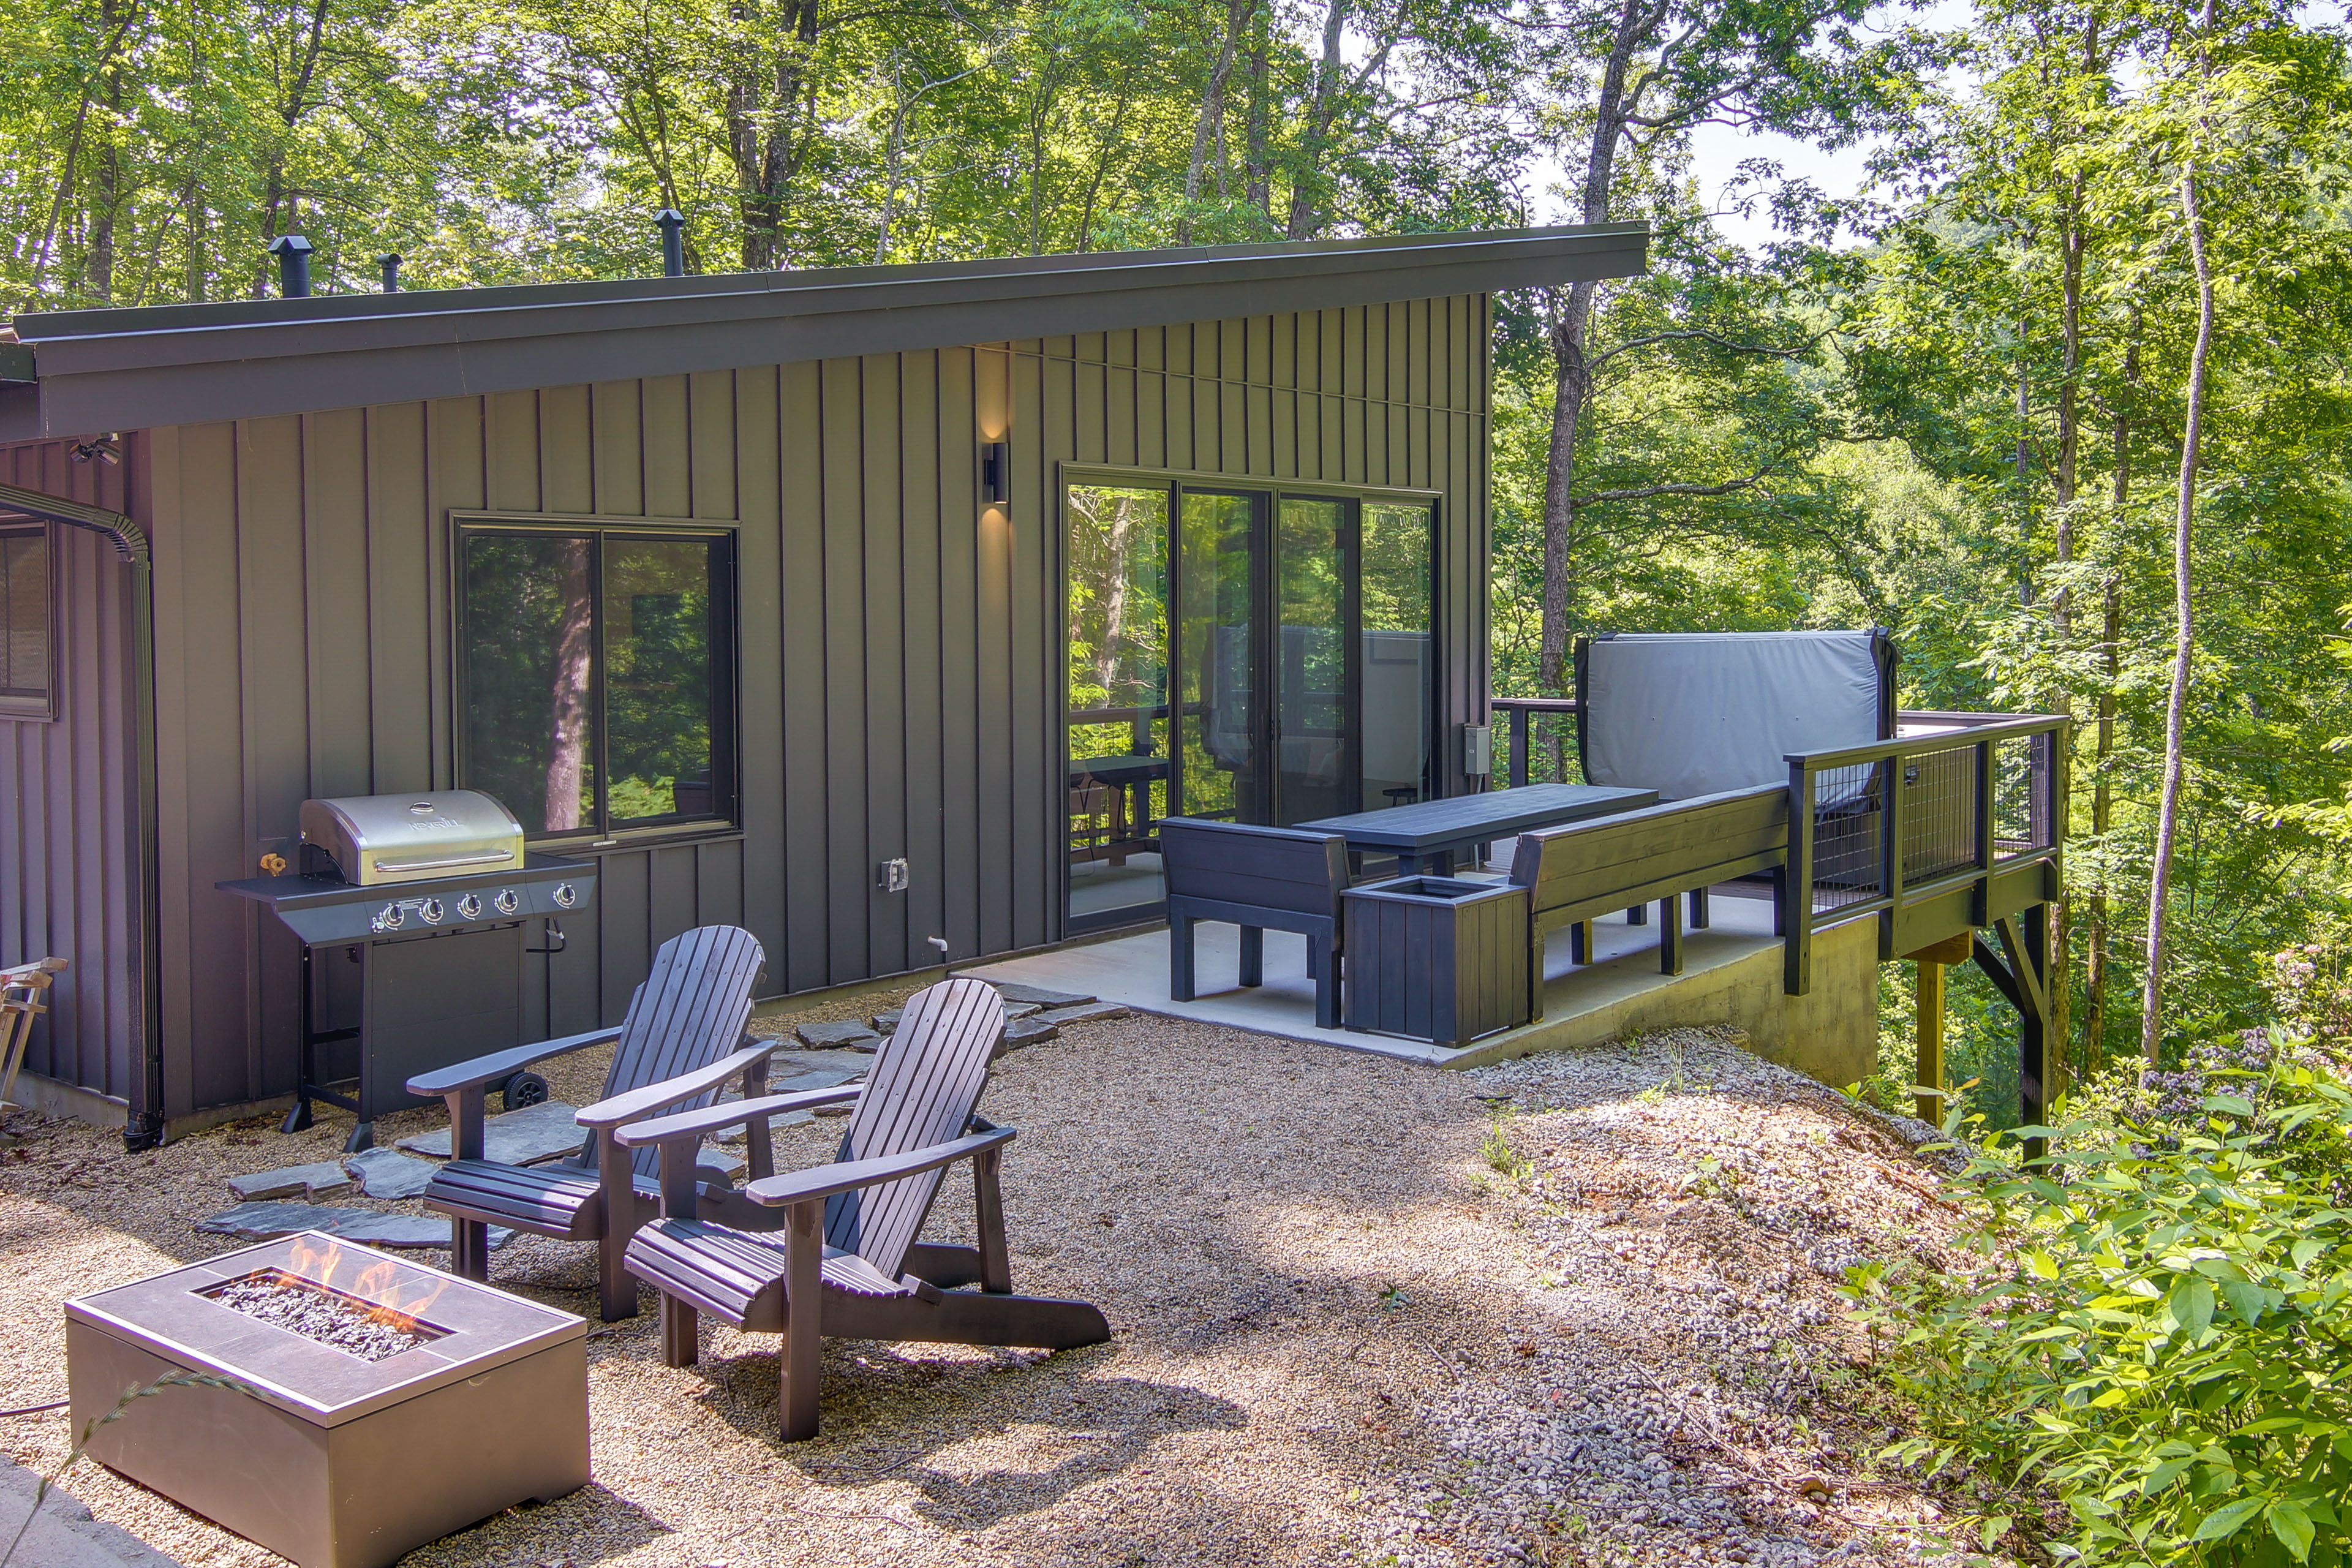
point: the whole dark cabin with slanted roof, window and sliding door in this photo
(876, 610)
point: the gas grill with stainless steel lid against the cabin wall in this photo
(427, 897)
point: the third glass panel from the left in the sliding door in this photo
(1314, 756)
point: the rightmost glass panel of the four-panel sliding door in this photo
(1398, 657)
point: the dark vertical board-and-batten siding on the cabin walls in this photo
(900, 643)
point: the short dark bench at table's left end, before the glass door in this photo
(1257, 878)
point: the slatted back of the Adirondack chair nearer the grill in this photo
(688, 1014)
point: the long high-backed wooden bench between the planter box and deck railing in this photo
(1657, 855)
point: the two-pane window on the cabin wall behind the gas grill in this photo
(596, 676)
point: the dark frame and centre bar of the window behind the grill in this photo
(728, 674)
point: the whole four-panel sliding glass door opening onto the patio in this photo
(1238, 655)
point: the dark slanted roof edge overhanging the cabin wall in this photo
(175, 366)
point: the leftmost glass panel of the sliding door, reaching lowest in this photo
(1118, 728)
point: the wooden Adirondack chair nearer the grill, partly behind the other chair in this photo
(683, 1038)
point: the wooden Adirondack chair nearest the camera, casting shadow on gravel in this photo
(848, 1261)
